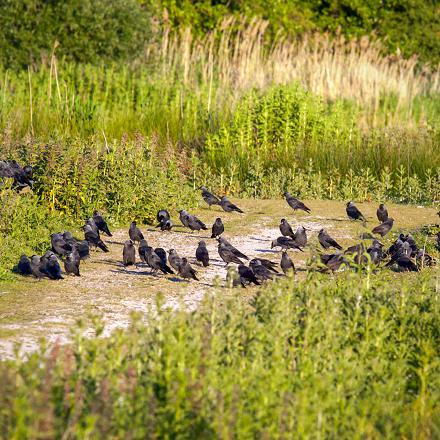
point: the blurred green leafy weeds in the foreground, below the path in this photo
(345, 357)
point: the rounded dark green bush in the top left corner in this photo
(86, 30)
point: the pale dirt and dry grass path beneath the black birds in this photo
(30, 309)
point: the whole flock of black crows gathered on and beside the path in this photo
(404, 254)
